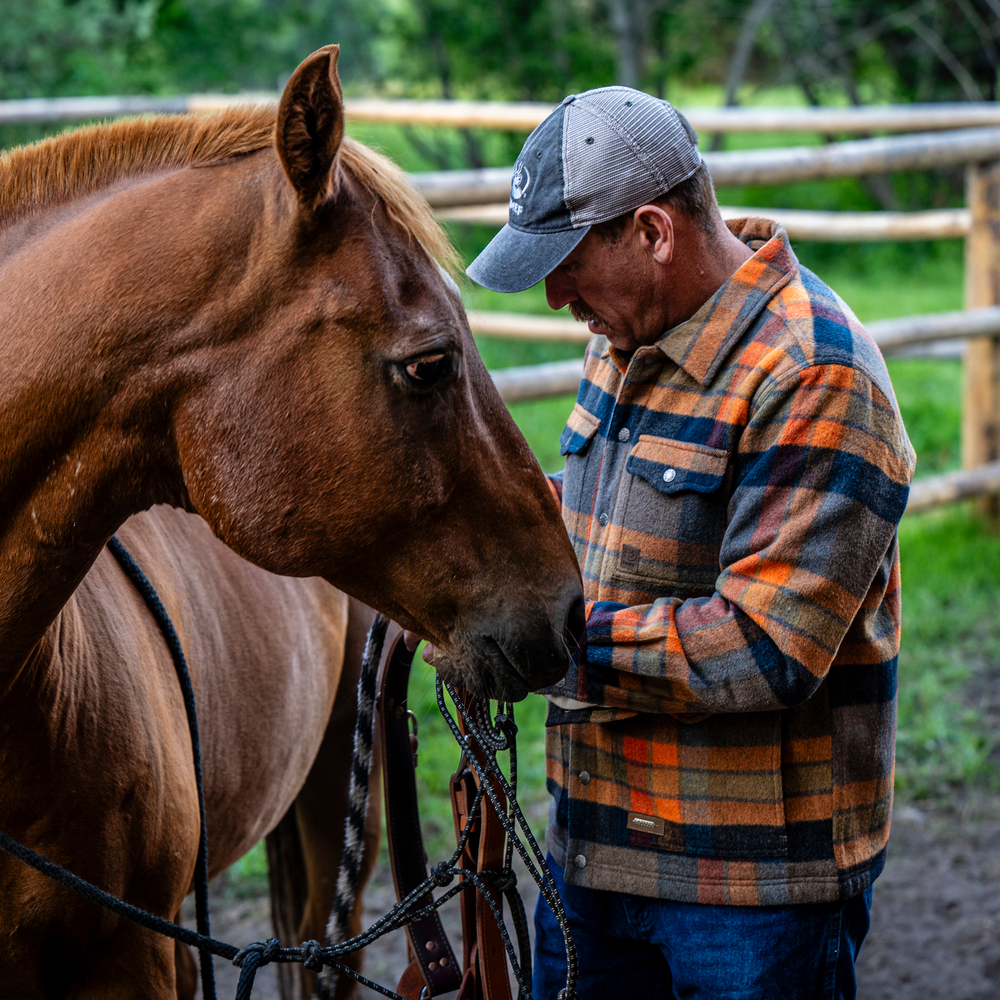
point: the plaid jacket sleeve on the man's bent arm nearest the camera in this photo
(820, 482)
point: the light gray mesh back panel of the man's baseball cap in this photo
(639, 150)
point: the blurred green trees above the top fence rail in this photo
(827, 50)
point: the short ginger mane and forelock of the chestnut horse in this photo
(88, 159)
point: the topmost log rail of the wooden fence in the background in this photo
(524, 116)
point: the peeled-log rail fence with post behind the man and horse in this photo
(947, 135)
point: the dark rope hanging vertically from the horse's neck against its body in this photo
(141, 583)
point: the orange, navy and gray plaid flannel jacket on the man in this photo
(733, 494)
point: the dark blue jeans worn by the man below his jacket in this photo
(636, 948)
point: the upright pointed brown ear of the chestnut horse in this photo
(311, 125)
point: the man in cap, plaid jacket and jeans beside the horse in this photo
(721, 756)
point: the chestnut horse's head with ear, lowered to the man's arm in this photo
(348, 428)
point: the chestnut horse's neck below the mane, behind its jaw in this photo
(96, 336)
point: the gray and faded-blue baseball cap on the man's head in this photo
(599, 155)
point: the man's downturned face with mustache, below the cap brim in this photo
(612, 287)
